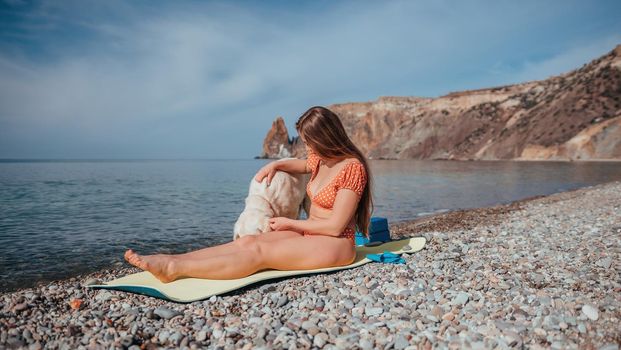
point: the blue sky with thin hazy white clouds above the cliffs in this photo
(205, 79)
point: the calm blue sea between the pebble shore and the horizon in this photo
(62, 218)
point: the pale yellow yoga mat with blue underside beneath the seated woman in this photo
(186, 290)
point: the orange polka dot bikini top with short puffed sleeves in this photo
(353, 176)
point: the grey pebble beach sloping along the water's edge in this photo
(538, 273)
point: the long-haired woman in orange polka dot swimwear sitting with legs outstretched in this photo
(340, 194)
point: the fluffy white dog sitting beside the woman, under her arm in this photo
(285, 196)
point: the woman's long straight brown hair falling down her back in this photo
(324, 133)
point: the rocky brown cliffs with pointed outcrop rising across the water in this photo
(574, 116)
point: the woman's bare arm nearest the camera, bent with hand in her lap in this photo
(344, 208)
